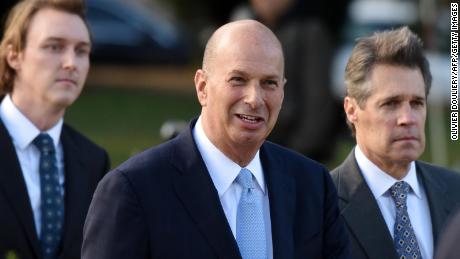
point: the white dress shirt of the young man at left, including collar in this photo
(23, 132)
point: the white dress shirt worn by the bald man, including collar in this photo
(223, 172)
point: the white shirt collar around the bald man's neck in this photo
(223, 170)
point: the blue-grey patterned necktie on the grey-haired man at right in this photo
(405, 241)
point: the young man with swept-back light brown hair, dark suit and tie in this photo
(48, 171)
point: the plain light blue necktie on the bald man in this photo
(250, 227)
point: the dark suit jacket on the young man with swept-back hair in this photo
(85, 164)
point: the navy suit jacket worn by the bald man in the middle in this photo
(162, 203)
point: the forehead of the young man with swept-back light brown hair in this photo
(50, 23)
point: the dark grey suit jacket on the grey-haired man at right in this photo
(369, 234)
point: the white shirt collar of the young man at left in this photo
(21, 129)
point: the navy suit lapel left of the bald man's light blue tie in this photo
(194, 187)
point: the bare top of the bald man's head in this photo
(244, 33)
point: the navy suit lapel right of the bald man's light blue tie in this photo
(282, 203)
